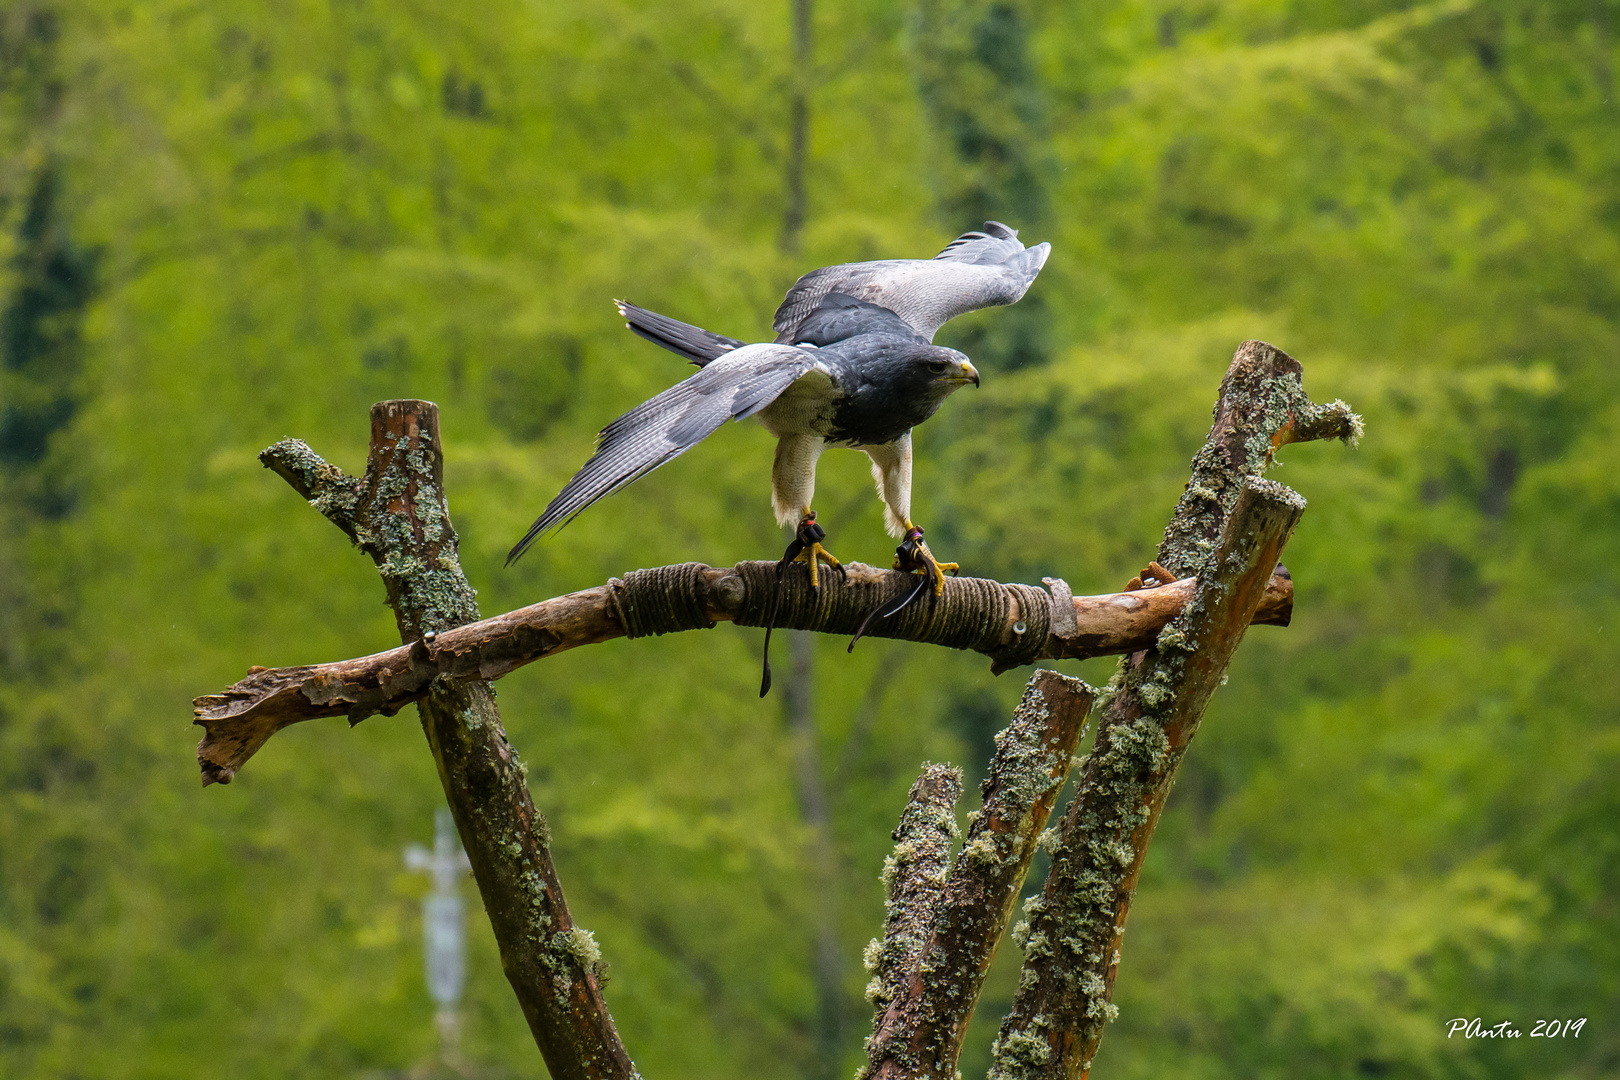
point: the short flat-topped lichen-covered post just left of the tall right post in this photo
(921, 1031)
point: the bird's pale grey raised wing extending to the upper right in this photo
(974, 271)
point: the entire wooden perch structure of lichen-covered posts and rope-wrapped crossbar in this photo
(1216, 579)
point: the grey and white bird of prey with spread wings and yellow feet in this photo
(853, 365)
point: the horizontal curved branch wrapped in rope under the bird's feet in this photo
(1012, 624)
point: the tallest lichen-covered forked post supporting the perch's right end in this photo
(1227, 532)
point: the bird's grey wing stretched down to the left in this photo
(736, 386)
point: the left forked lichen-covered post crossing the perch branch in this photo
(399, 516)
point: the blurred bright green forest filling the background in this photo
(229, 223)
